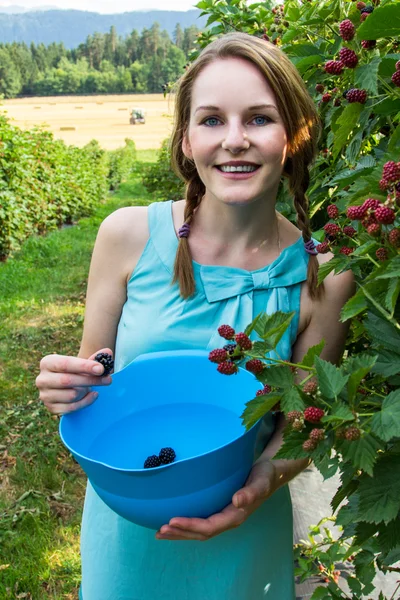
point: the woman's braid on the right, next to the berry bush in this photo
(303, 222)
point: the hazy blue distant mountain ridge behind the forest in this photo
(73, 26)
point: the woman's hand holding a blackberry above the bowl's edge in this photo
(64, 381)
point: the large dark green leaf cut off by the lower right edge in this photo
(380, 495)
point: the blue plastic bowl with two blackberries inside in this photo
(175, 399)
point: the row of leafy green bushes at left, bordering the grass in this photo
(44, 183)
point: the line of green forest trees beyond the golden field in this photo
(105, 63)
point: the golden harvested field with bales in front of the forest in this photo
(79, 119)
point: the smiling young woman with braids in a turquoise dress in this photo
(166, 276)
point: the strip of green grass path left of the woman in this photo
(42, 298)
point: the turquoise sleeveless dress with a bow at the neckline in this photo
(123, 561)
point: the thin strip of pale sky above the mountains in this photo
(106, 6)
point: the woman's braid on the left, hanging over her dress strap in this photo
(183, 267)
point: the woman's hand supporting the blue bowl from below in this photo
(260, 485)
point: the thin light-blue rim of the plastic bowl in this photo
(141, 358)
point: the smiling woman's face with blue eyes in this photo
(234, 120)
